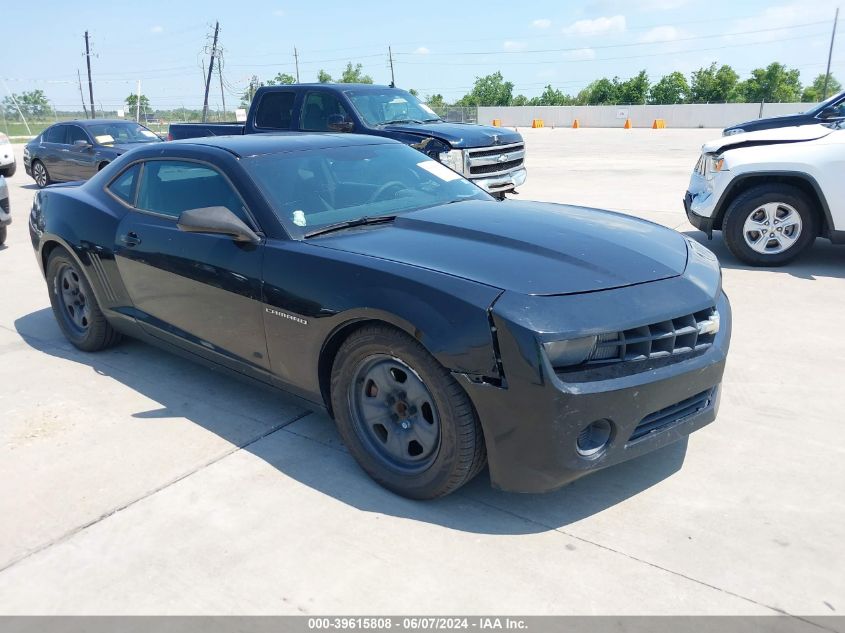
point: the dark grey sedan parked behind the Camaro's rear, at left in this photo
(76, 150)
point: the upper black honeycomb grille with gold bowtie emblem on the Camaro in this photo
(681, 335)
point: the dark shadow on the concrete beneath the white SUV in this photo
(822, 259)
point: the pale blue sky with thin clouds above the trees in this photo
(438, 47)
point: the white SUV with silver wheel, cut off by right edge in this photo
(772, 192)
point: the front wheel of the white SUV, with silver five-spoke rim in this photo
(767, 206)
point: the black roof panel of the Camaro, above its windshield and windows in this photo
(255, 144)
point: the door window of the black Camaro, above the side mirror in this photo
(172, 186)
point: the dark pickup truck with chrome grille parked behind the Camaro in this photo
(493, 158)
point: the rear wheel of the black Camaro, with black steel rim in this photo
(77, 313)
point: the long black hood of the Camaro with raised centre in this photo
(528, 247)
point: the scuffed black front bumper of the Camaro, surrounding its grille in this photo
(532, 422)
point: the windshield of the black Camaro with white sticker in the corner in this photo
(315, 188)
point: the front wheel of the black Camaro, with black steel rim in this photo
(368, 392)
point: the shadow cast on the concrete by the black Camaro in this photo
(475, 508)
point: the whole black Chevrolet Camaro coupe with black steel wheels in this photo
(441, 329)
